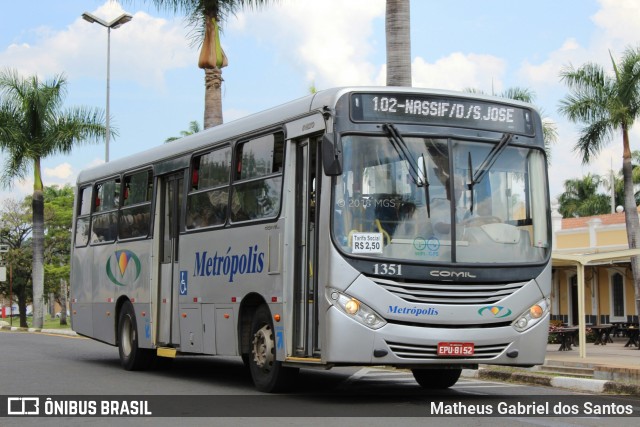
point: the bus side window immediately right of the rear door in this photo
(209, 195)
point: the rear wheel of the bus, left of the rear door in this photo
(132, 357)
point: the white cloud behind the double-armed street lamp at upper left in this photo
(142, 50)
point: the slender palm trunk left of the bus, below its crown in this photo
(37, 273)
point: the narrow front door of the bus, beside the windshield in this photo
(305, 284)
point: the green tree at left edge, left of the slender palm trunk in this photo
(15, 229)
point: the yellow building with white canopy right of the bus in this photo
(599, 244)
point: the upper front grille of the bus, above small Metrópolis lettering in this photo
(450, 293)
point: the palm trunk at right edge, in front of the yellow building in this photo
(631, 214)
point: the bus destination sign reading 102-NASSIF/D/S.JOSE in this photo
(443, 111)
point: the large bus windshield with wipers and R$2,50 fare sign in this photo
(455, 208)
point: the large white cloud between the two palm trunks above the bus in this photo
(330, 41)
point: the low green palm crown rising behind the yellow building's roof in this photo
(581, 198)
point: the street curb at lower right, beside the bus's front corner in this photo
(569, 383)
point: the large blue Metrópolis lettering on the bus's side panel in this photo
(229, 264)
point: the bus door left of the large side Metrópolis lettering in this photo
(169, 199)
